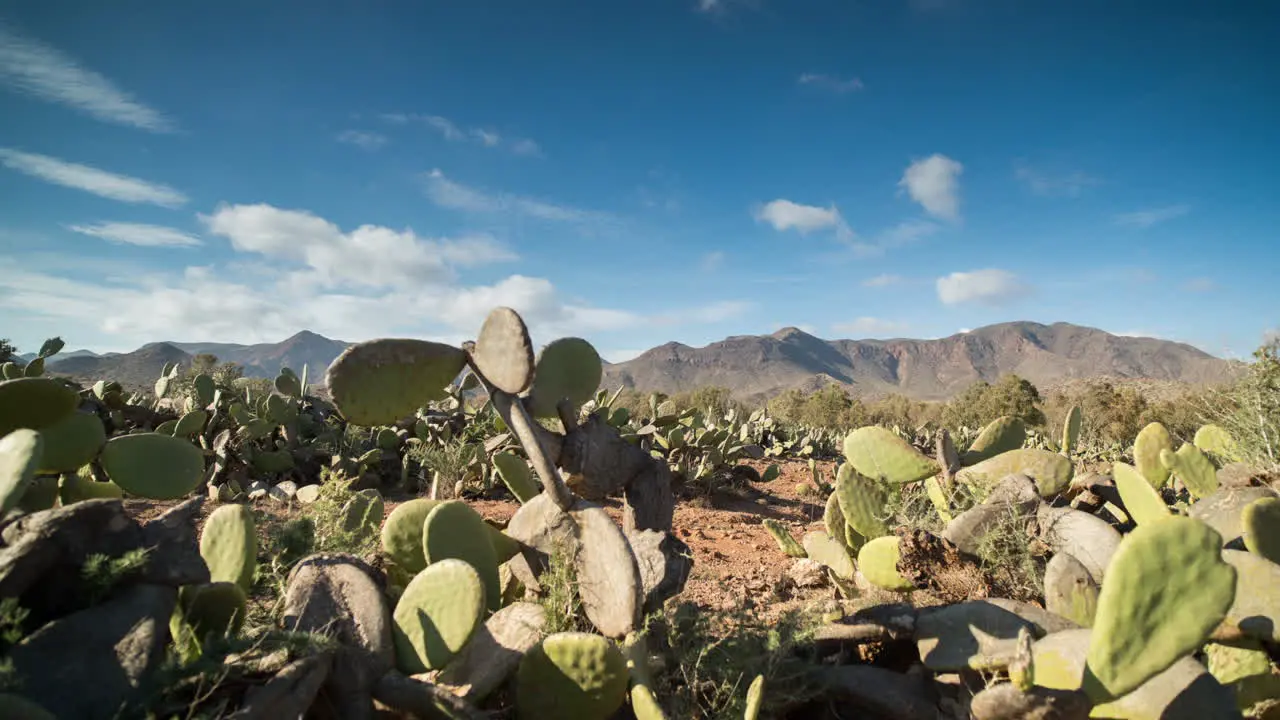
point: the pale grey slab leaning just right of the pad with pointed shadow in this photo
(495, 653)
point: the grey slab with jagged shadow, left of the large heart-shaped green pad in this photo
(980, 634)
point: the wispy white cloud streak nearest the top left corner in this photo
(36, 69)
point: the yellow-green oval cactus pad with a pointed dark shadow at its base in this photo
(437, 616)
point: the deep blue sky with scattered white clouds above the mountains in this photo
(637, 172)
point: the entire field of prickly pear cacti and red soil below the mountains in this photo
(484, 532)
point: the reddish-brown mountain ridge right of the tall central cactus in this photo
(756, 367)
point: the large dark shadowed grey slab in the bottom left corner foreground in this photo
(88, 664)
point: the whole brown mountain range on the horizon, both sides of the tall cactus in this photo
(757, 367)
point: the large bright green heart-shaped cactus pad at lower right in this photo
(1167, 590)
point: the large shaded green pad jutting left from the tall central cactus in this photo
(383, 381)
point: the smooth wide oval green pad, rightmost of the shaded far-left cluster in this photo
(154, 466)
